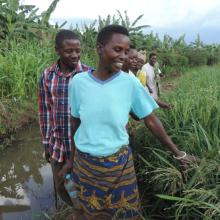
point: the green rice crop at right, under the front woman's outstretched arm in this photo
(194, 124)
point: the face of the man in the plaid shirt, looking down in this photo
(69, 53)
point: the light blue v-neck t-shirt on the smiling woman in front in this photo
(103, 108)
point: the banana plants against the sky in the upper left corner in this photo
(21, 21)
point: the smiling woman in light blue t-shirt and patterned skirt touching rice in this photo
(100, 103)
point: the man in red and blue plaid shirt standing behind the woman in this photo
(54, 114)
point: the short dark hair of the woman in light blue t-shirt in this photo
(106, 33)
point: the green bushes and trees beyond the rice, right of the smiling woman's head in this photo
(176, 55)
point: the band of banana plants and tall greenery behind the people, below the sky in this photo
(26, 46)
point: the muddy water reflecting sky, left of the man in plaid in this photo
(26, 184)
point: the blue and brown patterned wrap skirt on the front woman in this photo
(107, 186)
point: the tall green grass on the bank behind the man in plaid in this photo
(20, 68)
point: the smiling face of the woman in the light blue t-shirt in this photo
(114, 53)
